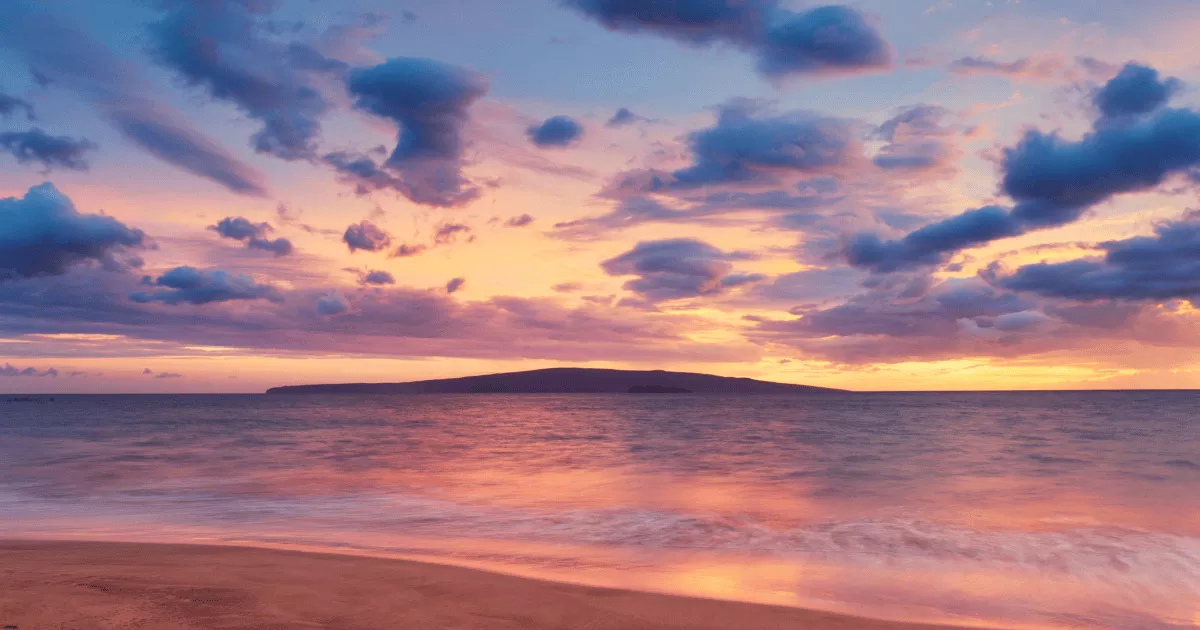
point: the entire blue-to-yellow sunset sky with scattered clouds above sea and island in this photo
(211, 196)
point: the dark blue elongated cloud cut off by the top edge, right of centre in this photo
(824, 40)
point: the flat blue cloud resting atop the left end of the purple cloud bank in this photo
(187, 285)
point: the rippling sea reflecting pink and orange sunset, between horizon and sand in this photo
(1025, 511)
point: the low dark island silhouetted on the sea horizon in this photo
(569, 381)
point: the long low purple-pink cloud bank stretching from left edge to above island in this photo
(398, 322)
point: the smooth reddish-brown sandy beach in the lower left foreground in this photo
(92, 586)
